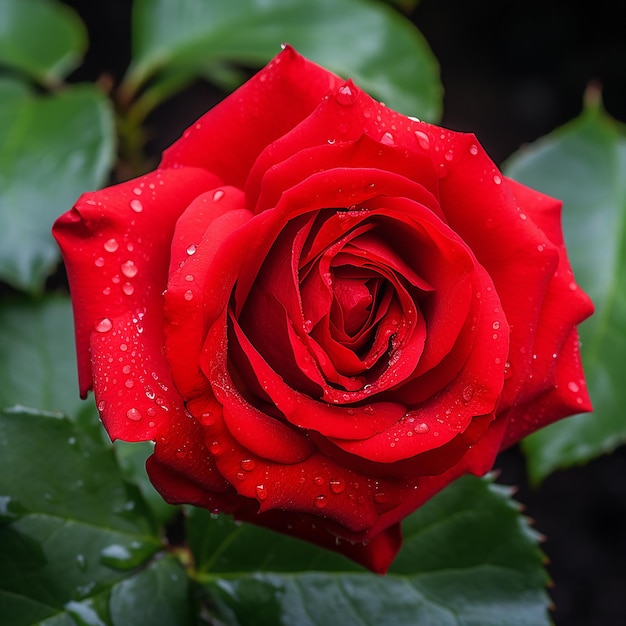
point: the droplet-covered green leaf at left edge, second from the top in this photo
(52, 148)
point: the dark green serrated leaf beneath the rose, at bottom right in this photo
(469, 558)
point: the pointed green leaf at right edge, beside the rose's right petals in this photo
(584, 164)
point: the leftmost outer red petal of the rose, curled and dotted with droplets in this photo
(115, 244)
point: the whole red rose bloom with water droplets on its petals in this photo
(322, 311)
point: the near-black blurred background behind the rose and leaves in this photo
(512, 73)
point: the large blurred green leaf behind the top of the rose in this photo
(381, 50)
